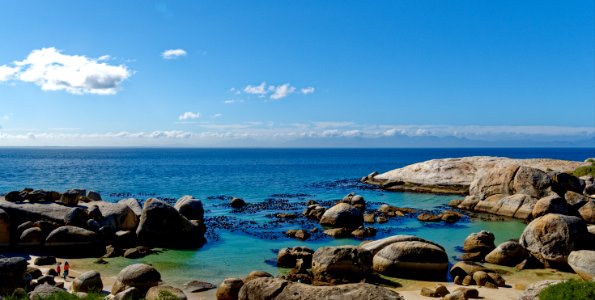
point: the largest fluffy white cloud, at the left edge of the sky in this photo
(75, 74)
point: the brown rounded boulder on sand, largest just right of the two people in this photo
(140, 276)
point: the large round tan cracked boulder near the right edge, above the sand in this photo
(552, 237)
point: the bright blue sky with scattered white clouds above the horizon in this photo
(297, 73)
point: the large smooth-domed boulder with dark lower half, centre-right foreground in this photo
(412, 259)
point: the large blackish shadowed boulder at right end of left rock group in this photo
(162, 225)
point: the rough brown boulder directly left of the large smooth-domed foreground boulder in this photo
(338, 265)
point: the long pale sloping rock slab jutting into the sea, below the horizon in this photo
(455, 175)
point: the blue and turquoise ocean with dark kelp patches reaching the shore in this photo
(275, 180)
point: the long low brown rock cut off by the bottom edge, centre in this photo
(275, 288)
